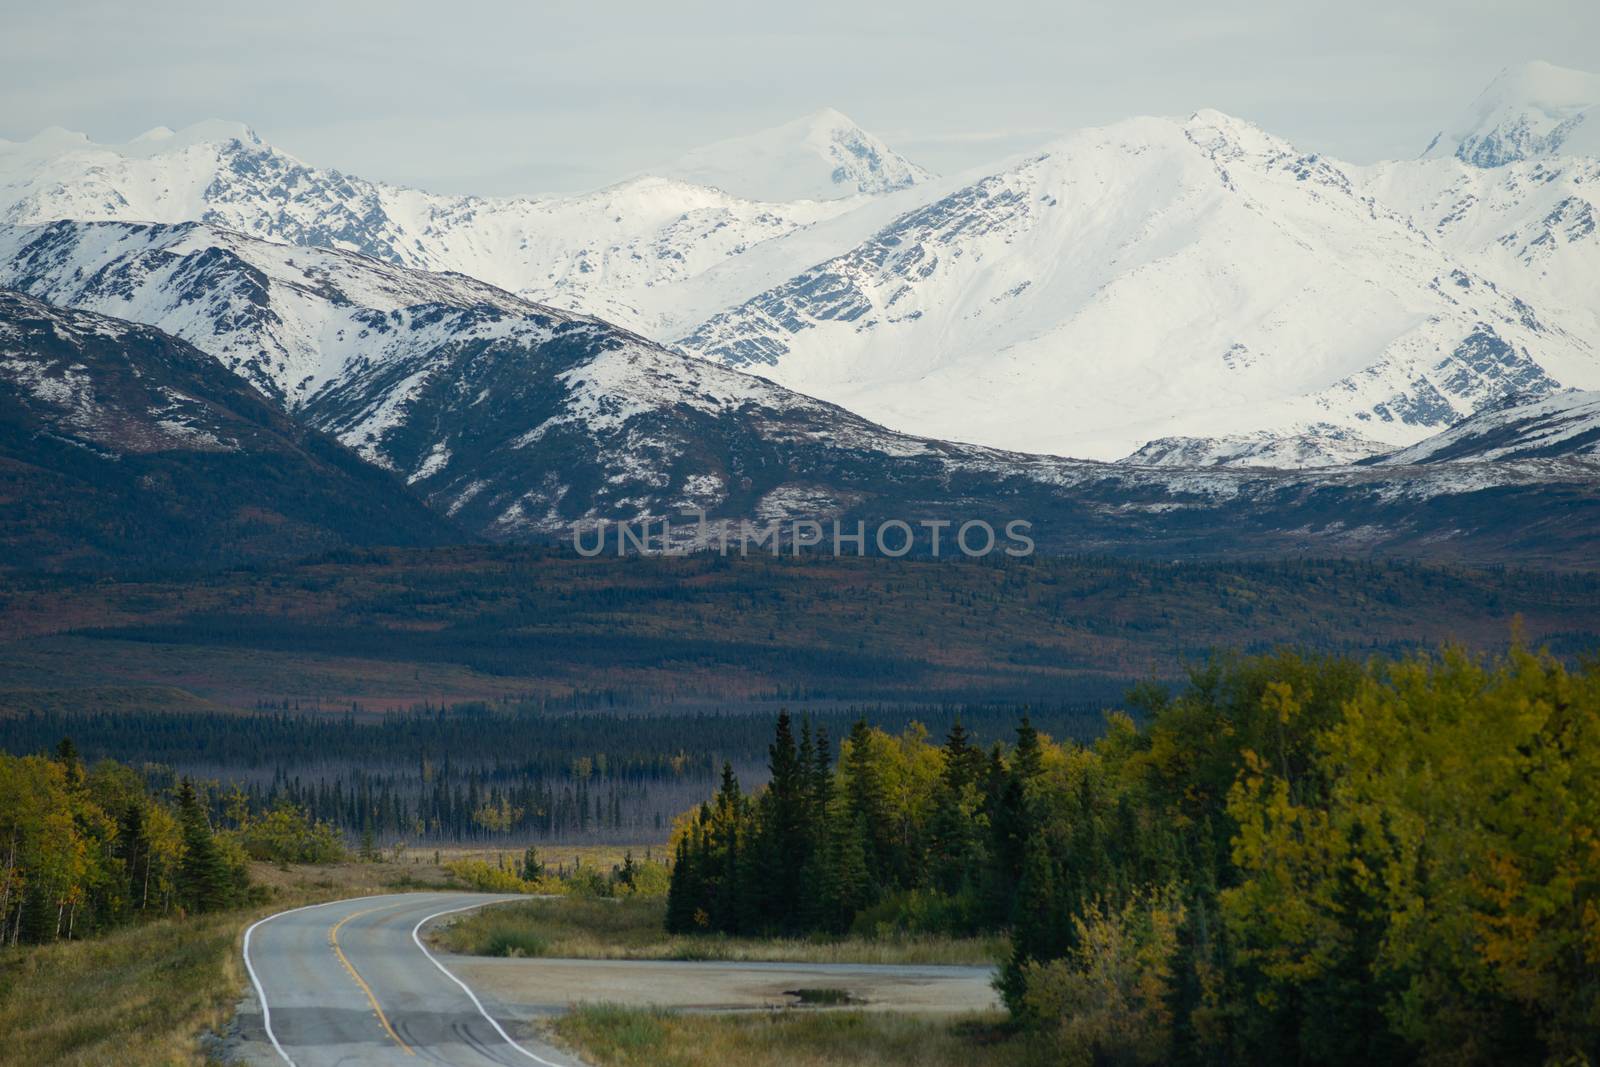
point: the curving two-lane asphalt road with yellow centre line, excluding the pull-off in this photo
(350, 983)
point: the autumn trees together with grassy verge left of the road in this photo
(122, 909)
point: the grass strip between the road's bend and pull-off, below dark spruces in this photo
(631, 929)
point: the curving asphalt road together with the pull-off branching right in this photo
(353, 983)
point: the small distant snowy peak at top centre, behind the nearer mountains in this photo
(820, 158)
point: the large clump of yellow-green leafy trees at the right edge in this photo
(1454, 863)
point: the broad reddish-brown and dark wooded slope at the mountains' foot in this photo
(394, 629)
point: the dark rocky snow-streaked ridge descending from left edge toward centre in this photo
(511, 417)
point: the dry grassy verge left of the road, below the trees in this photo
(145, 996)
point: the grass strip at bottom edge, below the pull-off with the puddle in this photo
(639, 1037)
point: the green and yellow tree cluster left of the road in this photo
(86, 849)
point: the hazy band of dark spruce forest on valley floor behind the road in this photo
(473, 775)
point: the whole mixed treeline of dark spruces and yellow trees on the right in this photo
(1289, 860)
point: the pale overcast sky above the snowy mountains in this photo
(548, 97)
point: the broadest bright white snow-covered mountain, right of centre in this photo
(1145, 281)
